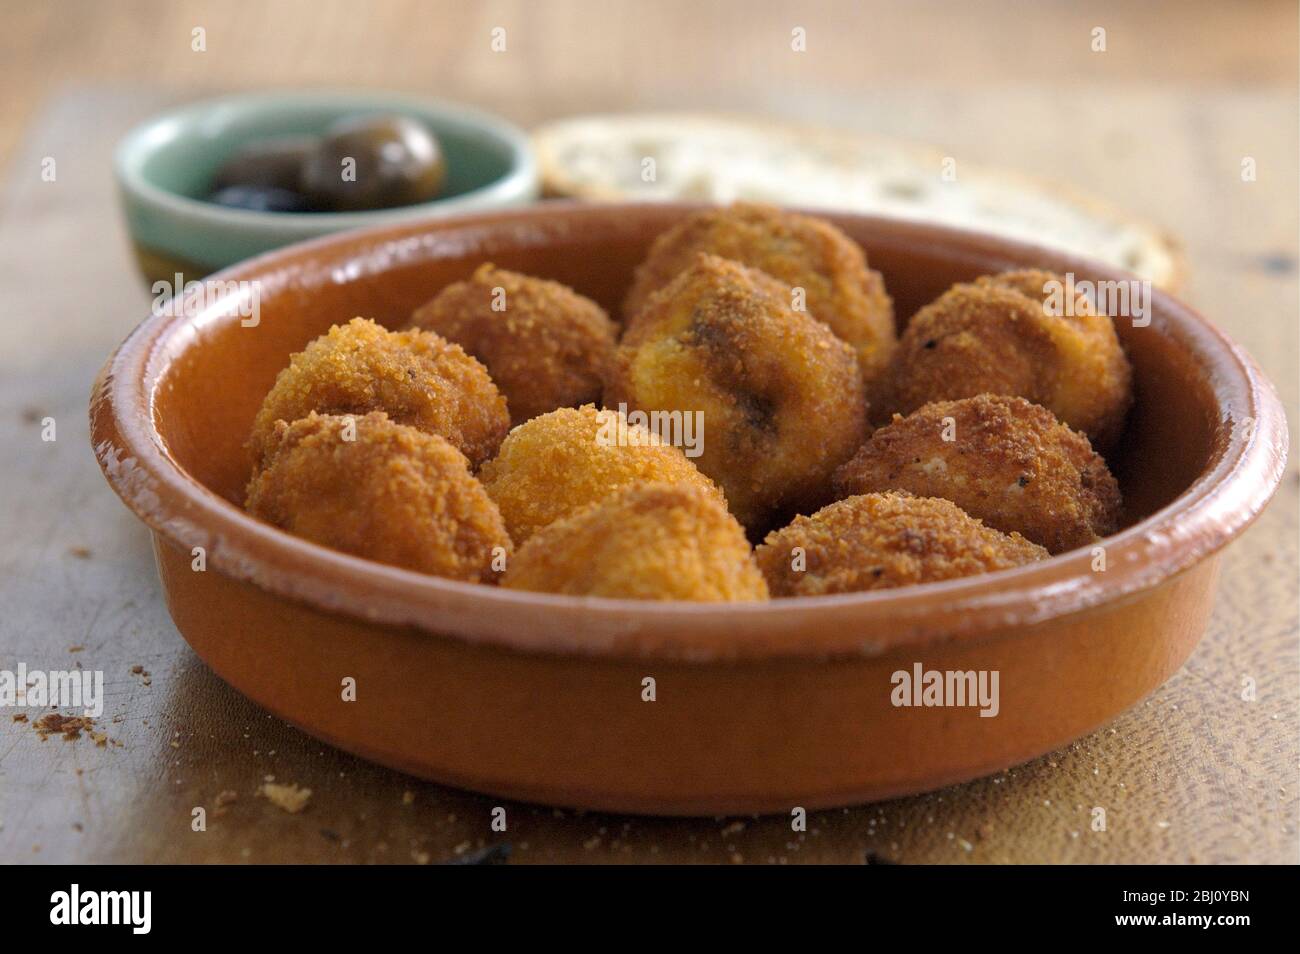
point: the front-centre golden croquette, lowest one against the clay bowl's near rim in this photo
(653, 541)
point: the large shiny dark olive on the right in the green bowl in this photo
(375, 163)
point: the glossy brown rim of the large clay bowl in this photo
(1242, 475)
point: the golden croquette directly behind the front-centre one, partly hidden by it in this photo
(567, 459)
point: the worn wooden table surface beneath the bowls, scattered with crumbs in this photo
(1159, 125)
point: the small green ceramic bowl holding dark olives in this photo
(166, 166)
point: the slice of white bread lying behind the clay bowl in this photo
(722, 159)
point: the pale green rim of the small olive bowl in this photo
(522, 177)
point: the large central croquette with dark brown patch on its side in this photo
(779, 396)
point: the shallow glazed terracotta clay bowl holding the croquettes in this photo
(759, 708)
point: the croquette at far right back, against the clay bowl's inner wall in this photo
(1000, 336)
